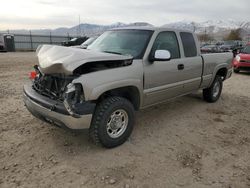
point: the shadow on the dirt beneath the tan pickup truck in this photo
(78, 141)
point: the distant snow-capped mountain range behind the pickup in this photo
(218, 29)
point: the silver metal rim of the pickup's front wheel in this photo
(117, 123)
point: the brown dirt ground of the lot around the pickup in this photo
(183, 143)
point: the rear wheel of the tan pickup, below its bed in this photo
(212, 94)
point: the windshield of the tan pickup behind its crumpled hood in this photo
(124, 42)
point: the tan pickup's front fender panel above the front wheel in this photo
(96, 83)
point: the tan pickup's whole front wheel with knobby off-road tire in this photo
(112, 122)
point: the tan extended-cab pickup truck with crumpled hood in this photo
(123, 71)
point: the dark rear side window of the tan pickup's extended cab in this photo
(189, 45)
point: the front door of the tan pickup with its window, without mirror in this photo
(163, 79)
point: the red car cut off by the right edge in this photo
(242, 60)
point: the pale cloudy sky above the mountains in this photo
(51, 14)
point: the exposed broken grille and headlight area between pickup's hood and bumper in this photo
(59, 88)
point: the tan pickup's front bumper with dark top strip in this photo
(55, 112)
